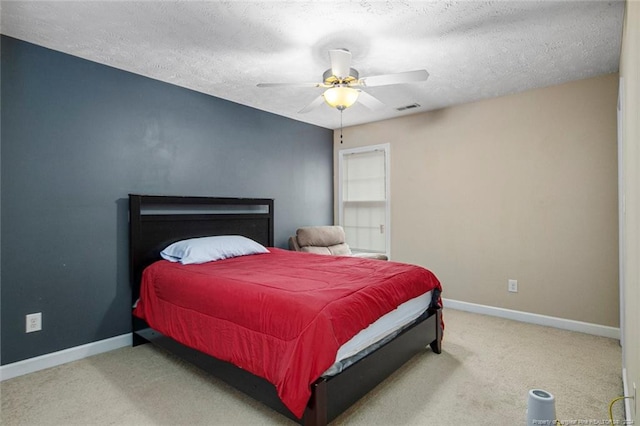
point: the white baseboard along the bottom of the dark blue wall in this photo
(31, 365)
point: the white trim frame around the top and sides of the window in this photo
(387, 165)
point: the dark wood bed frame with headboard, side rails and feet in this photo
(157, 221)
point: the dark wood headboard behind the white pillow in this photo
(157, 221)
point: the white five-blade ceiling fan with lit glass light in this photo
(344, 84)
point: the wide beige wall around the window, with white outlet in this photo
(519, 187)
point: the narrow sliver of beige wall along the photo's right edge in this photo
(630, 74)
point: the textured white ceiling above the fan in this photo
(472, 49)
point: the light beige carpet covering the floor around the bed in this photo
(482, 377)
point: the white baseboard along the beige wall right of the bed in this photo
(565, 324)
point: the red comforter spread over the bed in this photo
(282, 315)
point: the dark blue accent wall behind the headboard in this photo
(77, 138)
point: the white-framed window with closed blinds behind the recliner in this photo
(363, 196)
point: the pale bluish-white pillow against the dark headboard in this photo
(207, 249)
